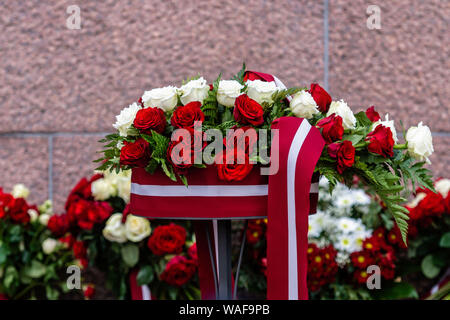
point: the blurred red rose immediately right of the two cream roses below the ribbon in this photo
(167, 239)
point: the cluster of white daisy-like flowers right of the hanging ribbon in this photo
(336, 225)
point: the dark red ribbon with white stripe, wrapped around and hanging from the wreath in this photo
(285, 198)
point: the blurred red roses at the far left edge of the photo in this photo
(14, 208)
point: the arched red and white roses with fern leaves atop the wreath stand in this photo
(360, 144)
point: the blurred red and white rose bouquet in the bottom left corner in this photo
(33, 263)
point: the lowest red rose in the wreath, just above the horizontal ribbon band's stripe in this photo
(235, 171)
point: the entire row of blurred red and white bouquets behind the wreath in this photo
(351, 231)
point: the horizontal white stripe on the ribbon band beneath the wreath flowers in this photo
(199, 190)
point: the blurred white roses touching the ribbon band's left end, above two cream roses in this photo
(111, 185)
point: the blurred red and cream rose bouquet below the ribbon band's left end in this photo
(109, 238)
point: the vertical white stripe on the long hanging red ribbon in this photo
(294, 150)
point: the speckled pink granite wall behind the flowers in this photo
(60, 88)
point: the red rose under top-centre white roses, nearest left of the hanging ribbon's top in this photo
(248, 111)
